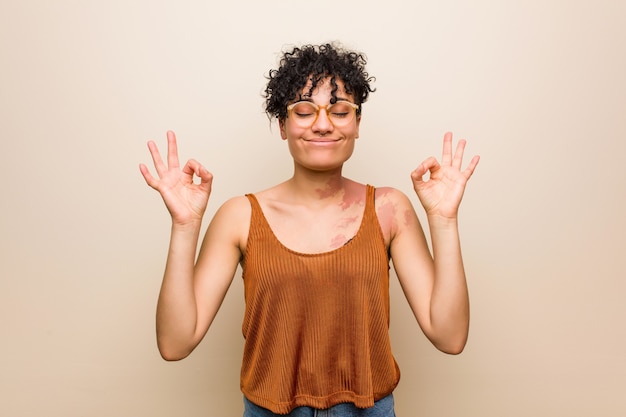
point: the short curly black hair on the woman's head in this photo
(315, 62)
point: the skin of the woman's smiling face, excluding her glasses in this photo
(322, 146)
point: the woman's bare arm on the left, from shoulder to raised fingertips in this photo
(191, 292)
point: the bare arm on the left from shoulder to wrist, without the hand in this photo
(191, 295)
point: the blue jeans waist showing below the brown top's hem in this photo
(382, 408)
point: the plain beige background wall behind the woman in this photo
(537, 87)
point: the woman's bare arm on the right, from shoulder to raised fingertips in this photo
(435, 286)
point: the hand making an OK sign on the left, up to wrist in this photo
(185, 200)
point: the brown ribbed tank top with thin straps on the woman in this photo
(316, 326)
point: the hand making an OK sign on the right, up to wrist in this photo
(441, 194)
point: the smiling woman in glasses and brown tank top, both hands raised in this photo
(315, 253)
